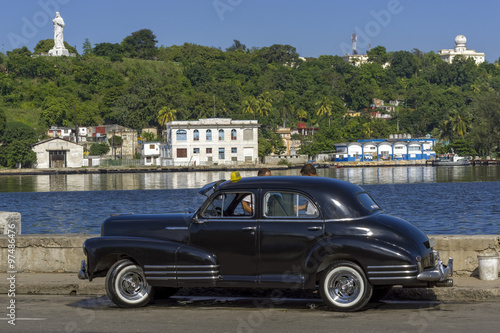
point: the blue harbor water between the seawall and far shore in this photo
(439, 200)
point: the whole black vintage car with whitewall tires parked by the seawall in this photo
(267, 232)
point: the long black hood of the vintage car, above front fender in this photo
(156, 226)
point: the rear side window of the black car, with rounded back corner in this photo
(288, 204)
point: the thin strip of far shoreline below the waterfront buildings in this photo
(153, 169)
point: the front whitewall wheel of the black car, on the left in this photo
(126, 285)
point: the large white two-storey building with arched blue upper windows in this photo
(210, 141)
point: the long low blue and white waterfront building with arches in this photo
(393, 149)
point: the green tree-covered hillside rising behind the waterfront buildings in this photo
(131, 82)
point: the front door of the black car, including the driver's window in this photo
(229, 232)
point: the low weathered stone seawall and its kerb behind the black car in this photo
(48, 263)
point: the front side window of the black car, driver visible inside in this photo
(230, 204)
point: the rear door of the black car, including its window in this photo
(290, 225)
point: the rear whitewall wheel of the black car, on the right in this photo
(344, 287)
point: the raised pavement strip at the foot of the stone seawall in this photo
(465, 289)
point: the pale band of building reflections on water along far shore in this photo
(180, 180)
